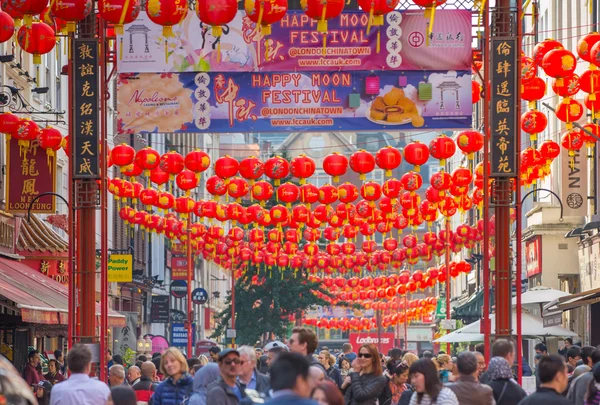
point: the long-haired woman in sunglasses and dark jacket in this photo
(365, 387)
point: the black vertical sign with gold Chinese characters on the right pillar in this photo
(503, 104)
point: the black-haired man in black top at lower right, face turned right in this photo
(552, 371)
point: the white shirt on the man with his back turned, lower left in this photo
(80, 389)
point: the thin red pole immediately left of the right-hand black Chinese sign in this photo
(486, 195)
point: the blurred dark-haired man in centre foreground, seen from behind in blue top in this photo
(290, 380)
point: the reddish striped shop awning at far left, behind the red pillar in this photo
(39, 298)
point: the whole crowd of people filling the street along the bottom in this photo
(298, 373)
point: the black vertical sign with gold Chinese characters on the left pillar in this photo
(85, 96)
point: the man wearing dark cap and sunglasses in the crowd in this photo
(226, 390)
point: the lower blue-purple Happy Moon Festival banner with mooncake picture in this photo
(309, 101)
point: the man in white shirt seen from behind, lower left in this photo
(80, 389)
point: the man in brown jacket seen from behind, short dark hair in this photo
(468, 389)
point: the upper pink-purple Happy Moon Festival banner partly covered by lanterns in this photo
(295, 45)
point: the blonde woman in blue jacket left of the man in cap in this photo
(178, 384)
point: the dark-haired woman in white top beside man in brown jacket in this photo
(427, 385)
